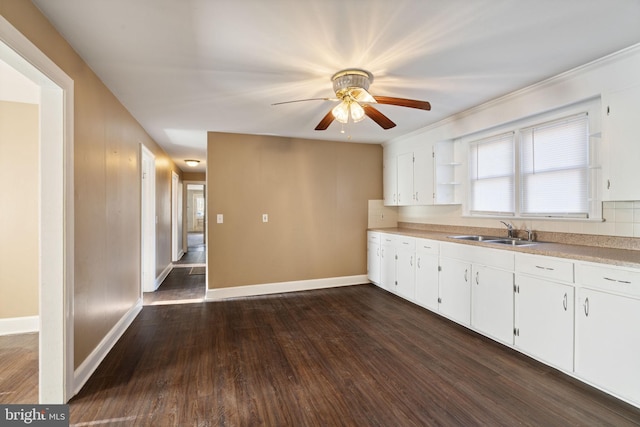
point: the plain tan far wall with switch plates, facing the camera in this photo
(316, 195)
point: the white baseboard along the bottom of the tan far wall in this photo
(276, 288)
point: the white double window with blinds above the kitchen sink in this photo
(537, 169)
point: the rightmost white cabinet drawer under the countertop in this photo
(608, 278)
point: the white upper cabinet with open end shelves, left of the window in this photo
(424, 176)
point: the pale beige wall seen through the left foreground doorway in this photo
(19, 209)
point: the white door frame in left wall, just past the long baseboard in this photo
(147, 220)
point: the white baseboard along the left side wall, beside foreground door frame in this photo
(91, 363)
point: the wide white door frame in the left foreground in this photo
(56, 212)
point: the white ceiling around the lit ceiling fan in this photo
(185, 67)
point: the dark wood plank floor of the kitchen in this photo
(353, 356)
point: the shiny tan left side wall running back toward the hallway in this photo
(107, 189)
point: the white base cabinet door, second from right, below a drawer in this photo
(544, 320)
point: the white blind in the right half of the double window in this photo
(554, 168)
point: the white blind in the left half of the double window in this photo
(491, 173)
